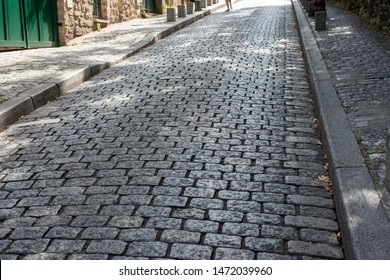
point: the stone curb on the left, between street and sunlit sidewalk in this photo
(12, 110)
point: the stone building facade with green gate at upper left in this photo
(49, 23)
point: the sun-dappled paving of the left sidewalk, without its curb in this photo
(23, 70)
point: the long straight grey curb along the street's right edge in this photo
(364, 225)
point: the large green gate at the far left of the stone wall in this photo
(28, 23)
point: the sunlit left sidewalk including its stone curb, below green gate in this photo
(31, 78)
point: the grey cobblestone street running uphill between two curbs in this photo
(203, 146)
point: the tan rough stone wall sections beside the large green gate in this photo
(75, 17)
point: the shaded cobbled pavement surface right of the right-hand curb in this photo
(359, 62)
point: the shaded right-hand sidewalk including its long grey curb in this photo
(348, 65)
